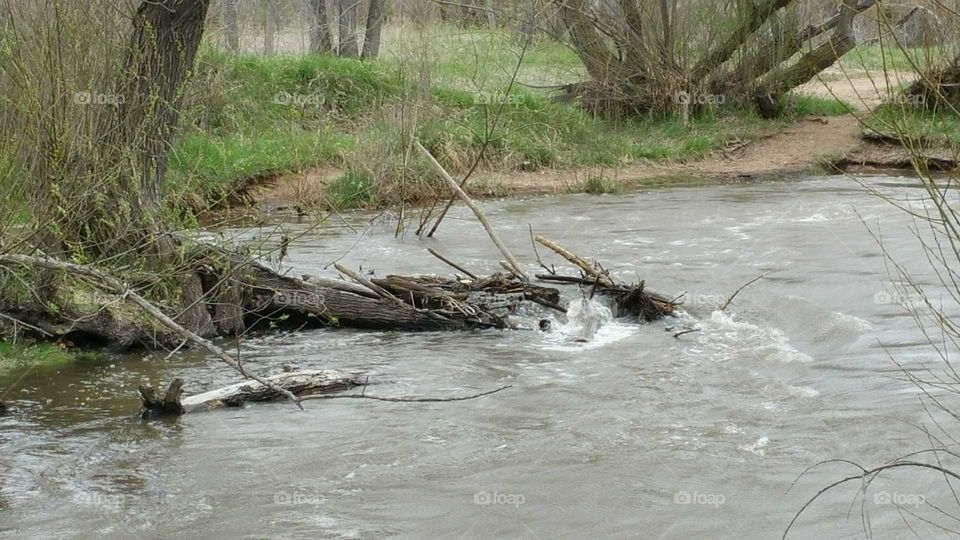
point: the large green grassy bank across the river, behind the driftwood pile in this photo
(252, 117)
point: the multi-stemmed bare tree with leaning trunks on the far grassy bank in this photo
(740, 50)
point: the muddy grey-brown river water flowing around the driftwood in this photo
(634, 434)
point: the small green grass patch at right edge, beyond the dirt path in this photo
(932, 127)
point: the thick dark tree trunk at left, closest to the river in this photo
(166, 36)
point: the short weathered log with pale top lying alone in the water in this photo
(298, 383)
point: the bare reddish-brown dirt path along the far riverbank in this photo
(799, 147)
